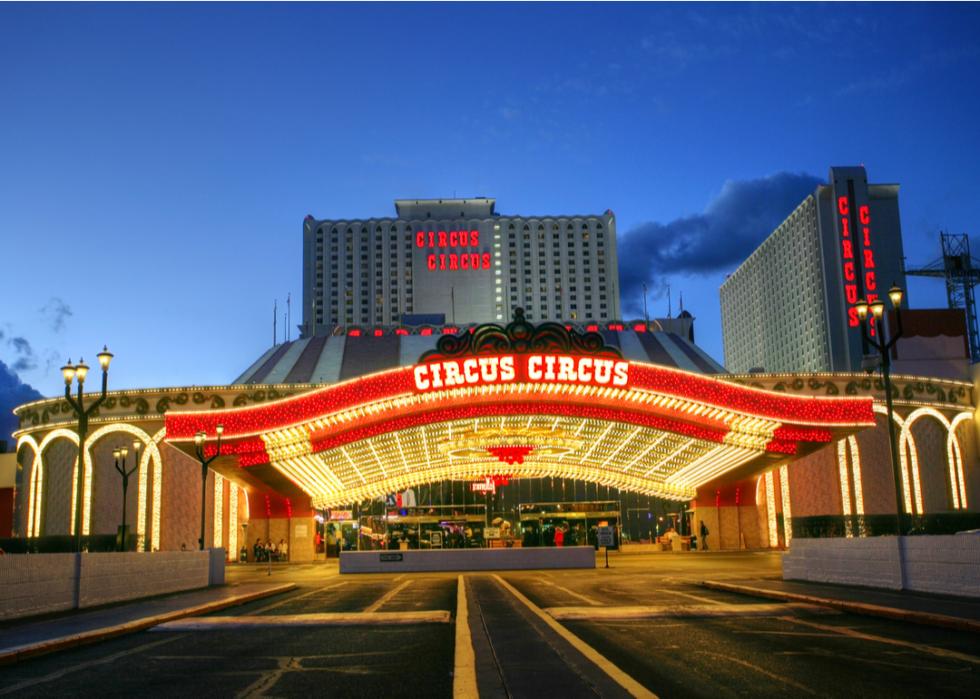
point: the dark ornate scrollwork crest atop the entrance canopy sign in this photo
(520, 337)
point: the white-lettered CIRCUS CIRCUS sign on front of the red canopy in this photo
(508, 368)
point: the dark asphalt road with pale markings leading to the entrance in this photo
(643, 625)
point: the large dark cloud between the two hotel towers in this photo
(731, 227)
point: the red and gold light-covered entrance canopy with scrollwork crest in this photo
(521, 402)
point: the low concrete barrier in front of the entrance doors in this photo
(415, 561)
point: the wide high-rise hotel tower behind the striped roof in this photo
(457, 261)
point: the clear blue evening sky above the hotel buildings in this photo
(156, 161)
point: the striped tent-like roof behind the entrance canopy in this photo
(333, 358)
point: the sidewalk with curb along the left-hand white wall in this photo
(19, 640)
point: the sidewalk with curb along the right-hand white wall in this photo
(962, 613)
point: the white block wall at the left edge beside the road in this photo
(32, 584)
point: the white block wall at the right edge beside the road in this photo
(948, 565)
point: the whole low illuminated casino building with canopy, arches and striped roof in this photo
(493, 436)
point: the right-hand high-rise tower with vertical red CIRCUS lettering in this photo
(791, 305)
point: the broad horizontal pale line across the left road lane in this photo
(218, 623)
